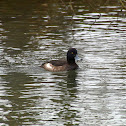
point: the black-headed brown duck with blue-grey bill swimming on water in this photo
(63, 65)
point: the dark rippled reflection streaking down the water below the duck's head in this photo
(67, 113)
